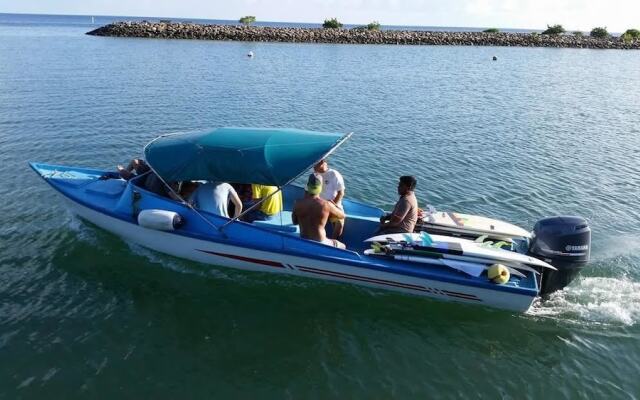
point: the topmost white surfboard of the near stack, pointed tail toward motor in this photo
(459, 248)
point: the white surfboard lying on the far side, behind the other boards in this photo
(470, 225)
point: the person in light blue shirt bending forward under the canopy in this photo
(215, 197)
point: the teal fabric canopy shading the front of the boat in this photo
(242, 155)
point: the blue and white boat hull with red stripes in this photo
(113, 205)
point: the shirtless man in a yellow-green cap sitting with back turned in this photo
(312, 213)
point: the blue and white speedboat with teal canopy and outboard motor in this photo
(435, 265)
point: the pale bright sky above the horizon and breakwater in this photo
(616, 15)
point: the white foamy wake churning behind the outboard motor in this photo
(594, 299)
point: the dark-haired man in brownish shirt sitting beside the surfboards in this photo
(405, 214)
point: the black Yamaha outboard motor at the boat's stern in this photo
(565, 243)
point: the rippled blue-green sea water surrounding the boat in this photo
(540, 132)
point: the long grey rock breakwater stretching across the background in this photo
(168, 30)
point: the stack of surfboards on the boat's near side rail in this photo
(470, 257)
